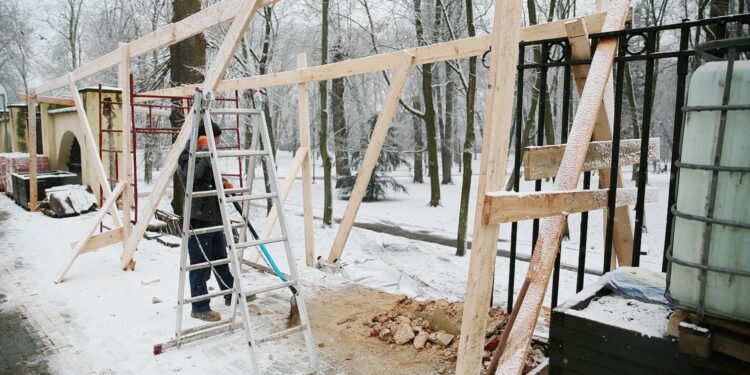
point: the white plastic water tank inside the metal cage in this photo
(726, 295)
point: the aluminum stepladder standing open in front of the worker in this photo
(201, 110)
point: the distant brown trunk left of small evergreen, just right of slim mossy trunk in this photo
(340, 131)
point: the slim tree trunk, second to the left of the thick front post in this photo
(429, 114)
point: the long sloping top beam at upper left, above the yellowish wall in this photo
(165, 36)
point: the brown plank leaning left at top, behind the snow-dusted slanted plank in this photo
(622, 238)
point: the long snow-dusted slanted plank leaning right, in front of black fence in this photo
(545, 252)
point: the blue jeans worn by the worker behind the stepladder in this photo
(215, 247)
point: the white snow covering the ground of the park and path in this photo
(102, 319)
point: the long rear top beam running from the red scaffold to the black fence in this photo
(455, 49)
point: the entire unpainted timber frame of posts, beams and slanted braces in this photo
(596, 93)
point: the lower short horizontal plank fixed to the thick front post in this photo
(503, 207)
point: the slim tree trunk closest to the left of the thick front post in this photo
(463, 215)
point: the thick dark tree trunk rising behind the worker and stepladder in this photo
(187, 58)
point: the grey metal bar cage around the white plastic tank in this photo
(729, 50)
